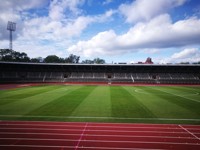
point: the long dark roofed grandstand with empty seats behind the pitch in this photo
(99, 73)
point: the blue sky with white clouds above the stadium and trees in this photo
(128, 31)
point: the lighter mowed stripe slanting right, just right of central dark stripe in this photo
(161, 104)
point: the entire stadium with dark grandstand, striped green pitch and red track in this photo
(99, 106)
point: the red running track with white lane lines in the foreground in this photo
(28, 135)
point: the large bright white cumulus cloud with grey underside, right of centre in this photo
(160, 32)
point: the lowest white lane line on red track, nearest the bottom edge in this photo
(101, 148)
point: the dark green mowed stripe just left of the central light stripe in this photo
(65, 104)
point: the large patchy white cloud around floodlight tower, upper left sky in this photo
(62, 20)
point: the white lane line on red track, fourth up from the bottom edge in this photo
(119, 131)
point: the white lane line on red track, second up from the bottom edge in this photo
(99, 141)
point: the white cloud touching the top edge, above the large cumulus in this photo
(144, 10)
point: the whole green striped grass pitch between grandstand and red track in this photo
(141, 104)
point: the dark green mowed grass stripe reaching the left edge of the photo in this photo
(16, 95)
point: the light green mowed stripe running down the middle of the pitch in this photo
(97, 103)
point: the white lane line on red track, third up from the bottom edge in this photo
(101, 135)
